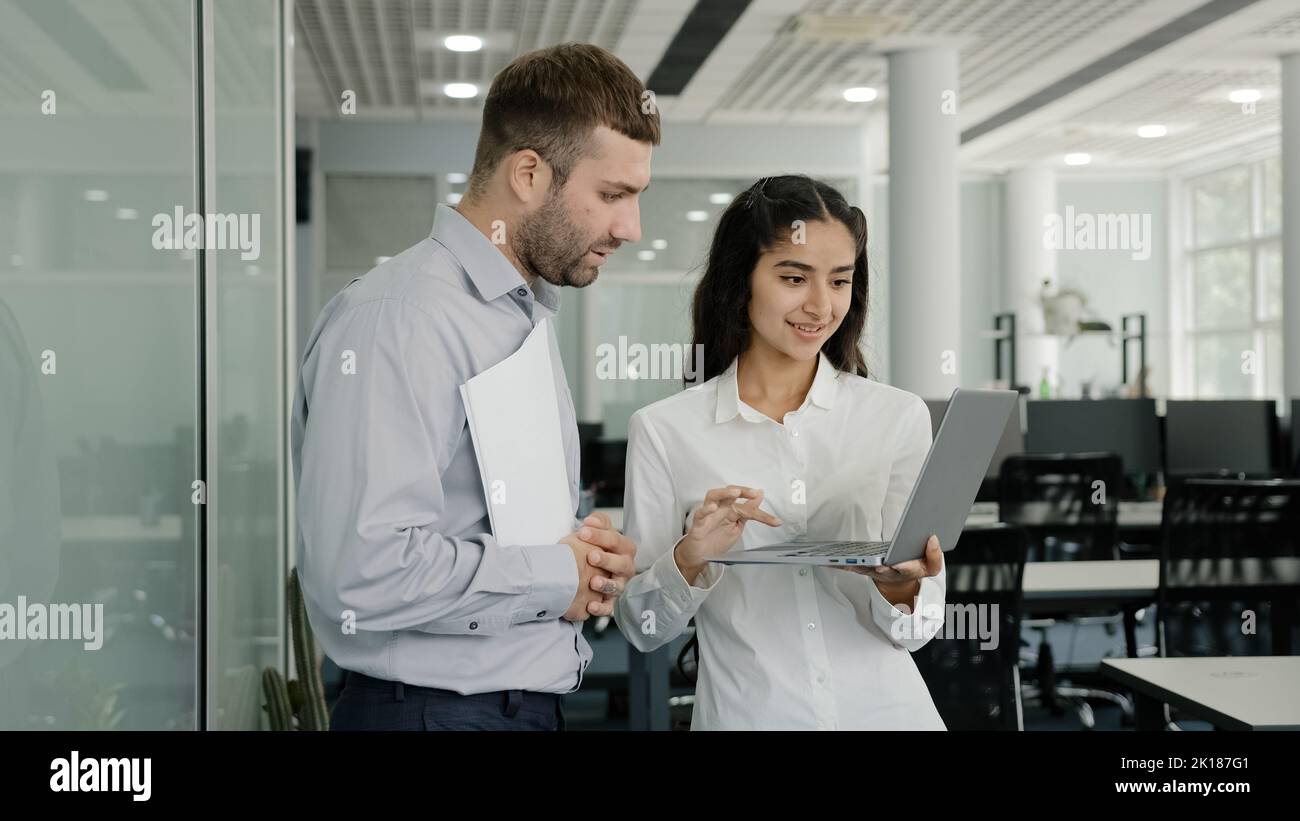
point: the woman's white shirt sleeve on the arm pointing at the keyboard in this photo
(658, 603)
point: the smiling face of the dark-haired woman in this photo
(801, 292)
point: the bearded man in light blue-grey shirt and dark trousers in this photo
(439, 625)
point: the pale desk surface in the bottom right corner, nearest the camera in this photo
(1245, 693)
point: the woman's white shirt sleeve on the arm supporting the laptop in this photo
(925, 616)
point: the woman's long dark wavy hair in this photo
(753, 224)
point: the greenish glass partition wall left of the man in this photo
(142, 344)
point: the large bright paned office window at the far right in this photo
(1236, 281)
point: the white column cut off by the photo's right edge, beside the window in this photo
(1292, 225)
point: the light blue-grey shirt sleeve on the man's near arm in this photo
(383, 425)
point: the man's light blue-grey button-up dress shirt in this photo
(401, 574)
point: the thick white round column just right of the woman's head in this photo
(925, 228)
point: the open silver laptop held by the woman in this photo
(941, 499)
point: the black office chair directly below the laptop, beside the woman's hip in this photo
(978, 688)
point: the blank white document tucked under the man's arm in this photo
(515, 423)
